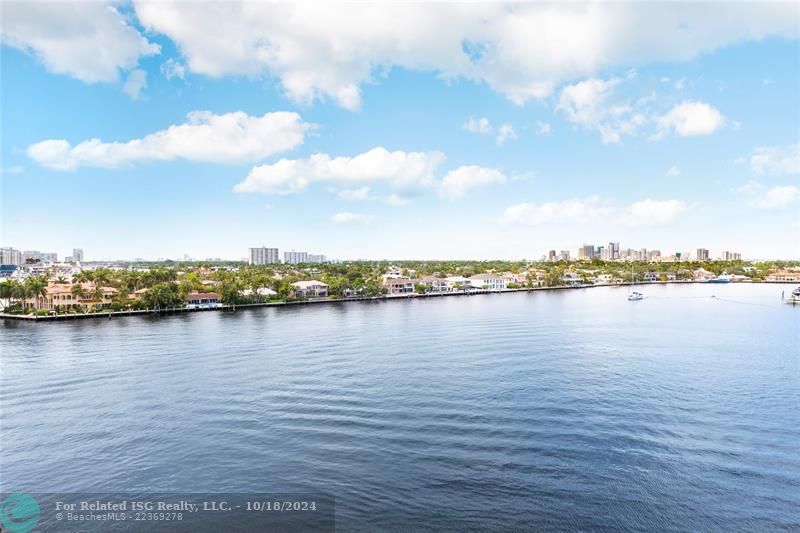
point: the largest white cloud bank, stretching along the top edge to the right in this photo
(328, 50)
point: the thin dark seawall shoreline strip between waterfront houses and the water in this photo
(108, 315)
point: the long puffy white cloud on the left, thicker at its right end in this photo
(229, 138)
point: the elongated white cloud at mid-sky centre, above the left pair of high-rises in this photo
(403, 170)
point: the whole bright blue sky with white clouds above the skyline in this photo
(389, 131)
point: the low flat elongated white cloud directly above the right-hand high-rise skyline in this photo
(592, 210)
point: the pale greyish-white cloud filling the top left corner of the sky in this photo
(90, 41)
